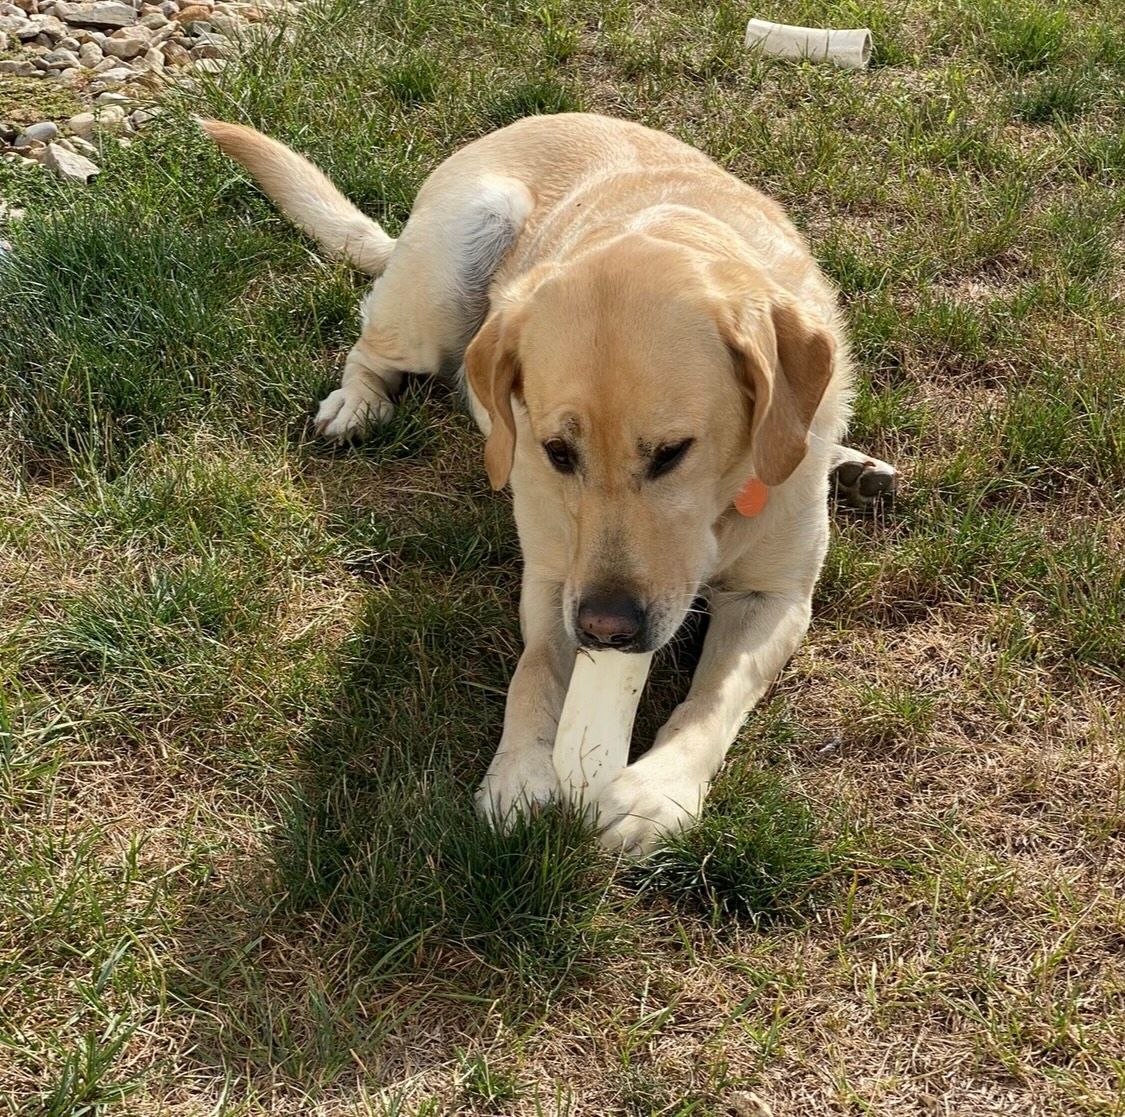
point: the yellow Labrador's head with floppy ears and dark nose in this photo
(633, 394)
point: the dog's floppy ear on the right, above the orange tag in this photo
(785, 371)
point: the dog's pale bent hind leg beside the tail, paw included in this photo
(425, 310)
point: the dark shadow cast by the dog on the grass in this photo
(386, 926)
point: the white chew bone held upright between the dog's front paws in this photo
(596, 728)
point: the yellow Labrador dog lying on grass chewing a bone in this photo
(660, 370)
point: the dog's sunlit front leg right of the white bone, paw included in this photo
(750, 638)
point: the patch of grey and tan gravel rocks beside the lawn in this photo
(114, 55)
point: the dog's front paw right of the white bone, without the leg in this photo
(645, 803)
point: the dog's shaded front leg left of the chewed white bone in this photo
(523, 772)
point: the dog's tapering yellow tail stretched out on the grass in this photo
(307, 197)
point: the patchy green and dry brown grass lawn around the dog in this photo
(248, 683)
